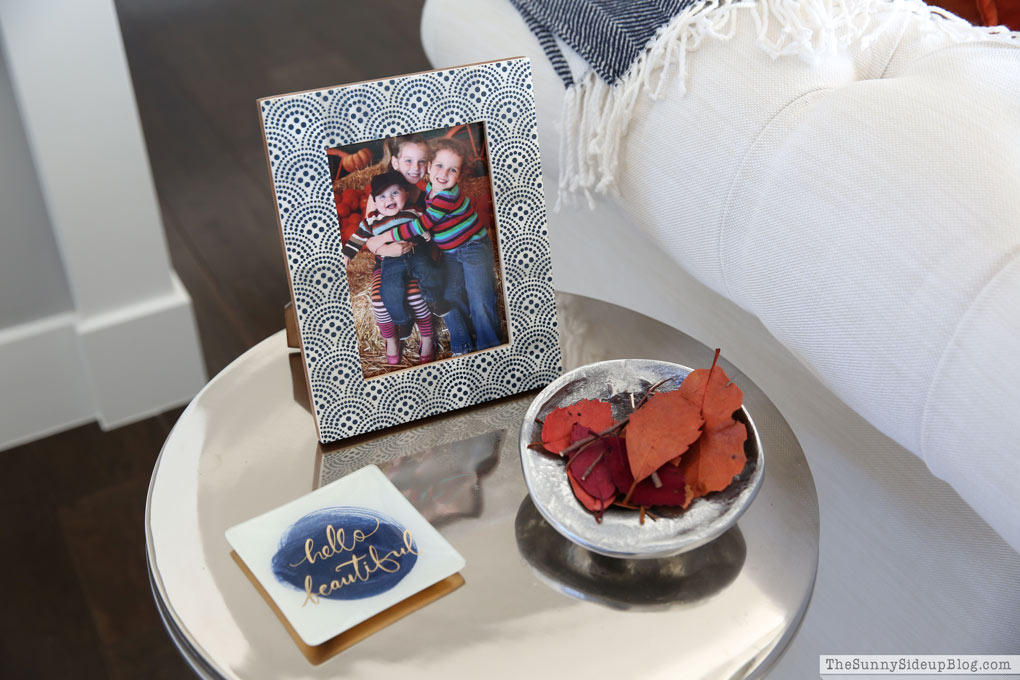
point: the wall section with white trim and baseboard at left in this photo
(94, 323)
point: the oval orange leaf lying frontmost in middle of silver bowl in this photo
(660, 431)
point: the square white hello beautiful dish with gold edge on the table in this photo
(344, 554)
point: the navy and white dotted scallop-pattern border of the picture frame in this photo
(299, 128)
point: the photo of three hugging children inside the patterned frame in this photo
(421, 247)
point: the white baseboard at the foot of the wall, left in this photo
(119, 368)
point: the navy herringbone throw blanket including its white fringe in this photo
(609, 53)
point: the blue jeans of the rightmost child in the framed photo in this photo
(471, 277)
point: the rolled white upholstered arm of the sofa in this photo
(873, 225)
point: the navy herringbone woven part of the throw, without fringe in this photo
(609, 35)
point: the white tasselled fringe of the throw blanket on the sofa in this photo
(596, 112)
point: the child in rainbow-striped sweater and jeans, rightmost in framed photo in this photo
(464, 241)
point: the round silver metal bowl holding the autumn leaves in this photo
(621, 535)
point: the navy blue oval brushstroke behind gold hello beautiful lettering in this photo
(290, 564)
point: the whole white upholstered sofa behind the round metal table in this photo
(847, 229)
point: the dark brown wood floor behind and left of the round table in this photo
(78, 603)
